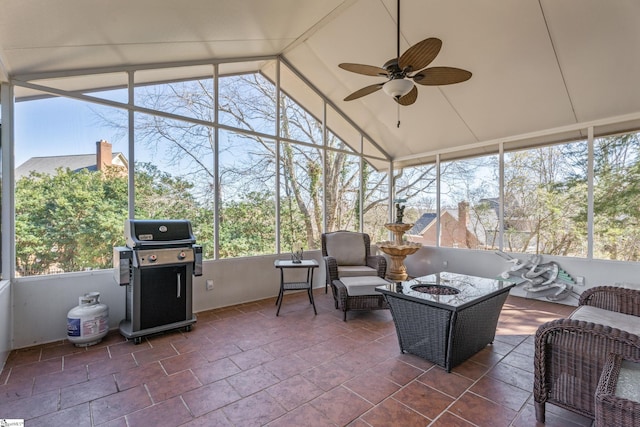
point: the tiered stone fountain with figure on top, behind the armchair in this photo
(398, 249)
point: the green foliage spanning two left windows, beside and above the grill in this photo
(70, 221)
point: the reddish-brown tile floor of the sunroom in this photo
(243, 366)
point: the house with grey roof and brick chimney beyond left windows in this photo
(103, 158)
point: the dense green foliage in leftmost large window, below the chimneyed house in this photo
(69, 221)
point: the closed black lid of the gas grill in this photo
(158, 233)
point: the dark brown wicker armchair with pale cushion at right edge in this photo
(571, 353)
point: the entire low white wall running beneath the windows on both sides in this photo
(41, 303)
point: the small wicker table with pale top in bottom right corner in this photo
(618, 393)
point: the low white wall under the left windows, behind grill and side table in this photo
(41, 303)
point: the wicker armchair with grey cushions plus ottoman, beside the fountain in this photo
(352, 272)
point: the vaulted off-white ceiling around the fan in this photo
(536, 64)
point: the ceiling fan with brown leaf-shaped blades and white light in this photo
(406, 69)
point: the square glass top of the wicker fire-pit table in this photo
(451, 289)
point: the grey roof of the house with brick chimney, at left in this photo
(49, 164)
